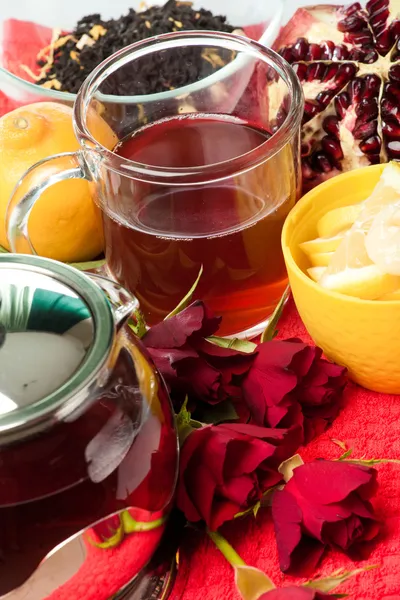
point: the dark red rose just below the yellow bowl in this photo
(289, 383)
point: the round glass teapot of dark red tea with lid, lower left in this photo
(88, 449)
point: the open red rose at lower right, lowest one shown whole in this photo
(326, 503)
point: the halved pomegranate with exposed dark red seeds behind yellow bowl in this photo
(348, 61)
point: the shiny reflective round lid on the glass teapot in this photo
(56, 332)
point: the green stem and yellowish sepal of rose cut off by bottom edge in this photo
(250, 582)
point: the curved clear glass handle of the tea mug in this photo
(39, 177)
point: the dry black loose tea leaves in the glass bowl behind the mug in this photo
(70, 57)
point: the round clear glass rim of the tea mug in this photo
(185, 175)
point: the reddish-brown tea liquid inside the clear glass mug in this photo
(163, 234)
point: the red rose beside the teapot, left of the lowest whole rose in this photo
(225, 469)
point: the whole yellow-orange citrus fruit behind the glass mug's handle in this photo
(65, 224)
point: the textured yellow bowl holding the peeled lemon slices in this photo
(363, 335)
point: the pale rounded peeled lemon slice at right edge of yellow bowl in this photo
(383, 239)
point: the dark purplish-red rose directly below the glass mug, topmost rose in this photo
(189, 363)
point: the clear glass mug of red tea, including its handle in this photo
(200, 177)
